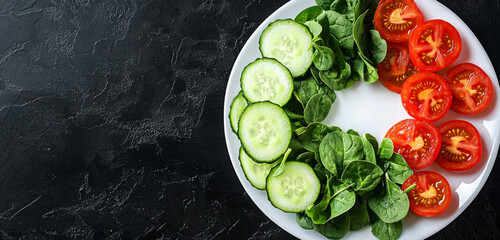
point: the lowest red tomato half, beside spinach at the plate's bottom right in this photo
(431, 196)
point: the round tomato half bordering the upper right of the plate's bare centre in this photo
(426, 96)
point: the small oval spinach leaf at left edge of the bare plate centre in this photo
(317, 108)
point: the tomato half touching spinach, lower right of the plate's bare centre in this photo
(417, 141)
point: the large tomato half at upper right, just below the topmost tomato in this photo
(434, 45)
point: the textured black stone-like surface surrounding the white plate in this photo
(111, 120)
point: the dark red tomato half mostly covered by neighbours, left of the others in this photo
(396, 66)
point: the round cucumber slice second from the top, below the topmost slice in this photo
(267, 80)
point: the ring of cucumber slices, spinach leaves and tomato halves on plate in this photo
(340, 180)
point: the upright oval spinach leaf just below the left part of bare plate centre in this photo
(331, 152)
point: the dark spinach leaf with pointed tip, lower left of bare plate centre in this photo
(314, 134)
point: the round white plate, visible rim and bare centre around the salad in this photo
(370, 108)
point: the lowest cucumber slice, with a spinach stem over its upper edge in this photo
(294, 189)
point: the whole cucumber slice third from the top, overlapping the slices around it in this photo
(265, 131)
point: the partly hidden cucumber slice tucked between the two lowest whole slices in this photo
(256, 173)
